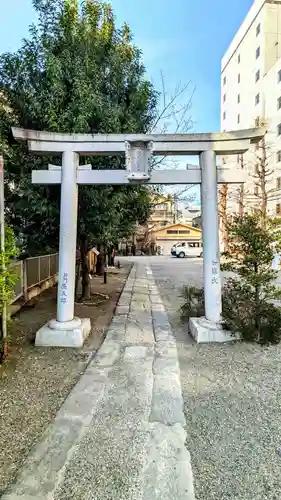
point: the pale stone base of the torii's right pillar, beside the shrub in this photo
(205, 332)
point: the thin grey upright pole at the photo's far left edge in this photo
(2, 247)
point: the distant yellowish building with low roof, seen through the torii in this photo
(172, 234)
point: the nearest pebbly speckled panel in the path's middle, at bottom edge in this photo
(110, 466)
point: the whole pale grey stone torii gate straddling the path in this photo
(66, 330)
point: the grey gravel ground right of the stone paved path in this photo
(232, 403)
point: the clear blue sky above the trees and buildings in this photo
(185, 39)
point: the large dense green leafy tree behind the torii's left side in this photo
(77, 72)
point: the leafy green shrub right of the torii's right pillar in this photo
(248, 298)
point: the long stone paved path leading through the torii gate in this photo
(121, 432)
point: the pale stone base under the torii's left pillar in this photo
(69, 334)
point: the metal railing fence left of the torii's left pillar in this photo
(33, 271)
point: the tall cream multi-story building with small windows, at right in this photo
(251, 96)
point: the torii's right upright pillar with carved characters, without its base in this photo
(210, 225)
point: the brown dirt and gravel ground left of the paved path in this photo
(34, 382)
